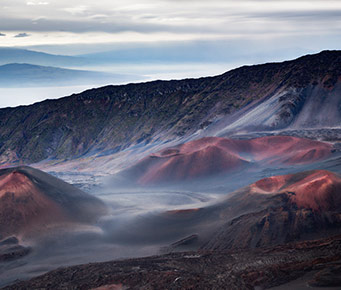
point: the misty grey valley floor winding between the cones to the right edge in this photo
(138, 222)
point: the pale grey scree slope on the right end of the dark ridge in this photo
(293, 108)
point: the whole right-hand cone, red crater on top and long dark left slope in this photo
(272, 211)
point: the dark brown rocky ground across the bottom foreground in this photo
(253, 269)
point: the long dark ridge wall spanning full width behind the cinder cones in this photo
(111, 119)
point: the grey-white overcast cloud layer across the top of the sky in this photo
(58, 21)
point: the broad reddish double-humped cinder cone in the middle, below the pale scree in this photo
(213, 155)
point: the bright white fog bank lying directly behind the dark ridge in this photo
(15, 96)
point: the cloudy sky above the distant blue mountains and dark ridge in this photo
(225, 32)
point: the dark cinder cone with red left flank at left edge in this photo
(31, 200)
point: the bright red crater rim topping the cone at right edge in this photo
(319, 190)
